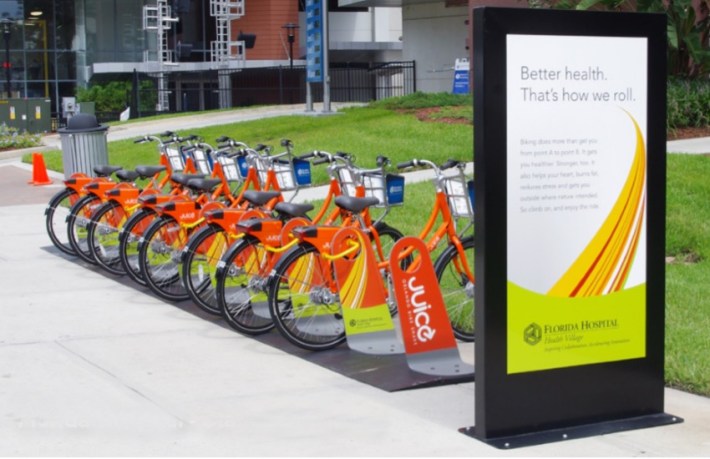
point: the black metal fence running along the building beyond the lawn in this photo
(349, 82)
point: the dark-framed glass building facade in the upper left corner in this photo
(52, 44)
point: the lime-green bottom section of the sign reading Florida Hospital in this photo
(546, 332)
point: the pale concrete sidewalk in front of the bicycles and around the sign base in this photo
(92, 365)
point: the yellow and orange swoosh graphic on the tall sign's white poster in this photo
(604, 265)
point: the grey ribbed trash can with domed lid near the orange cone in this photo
(84, 145)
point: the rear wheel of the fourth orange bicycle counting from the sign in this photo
(159, 256)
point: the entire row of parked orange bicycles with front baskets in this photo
(220, 225)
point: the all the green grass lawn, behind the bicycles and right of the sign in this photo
(370, 131)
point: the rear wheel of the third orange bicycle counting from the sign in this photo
(203, 251)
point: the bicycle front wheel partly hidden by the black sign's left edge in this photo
(457, 289)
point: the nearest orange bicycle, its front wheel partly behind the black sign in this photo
(303, 294)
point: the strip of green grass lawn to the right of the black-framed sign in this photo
(688, 273)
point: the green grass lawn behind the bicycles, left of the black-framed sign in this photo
(364, 132)
